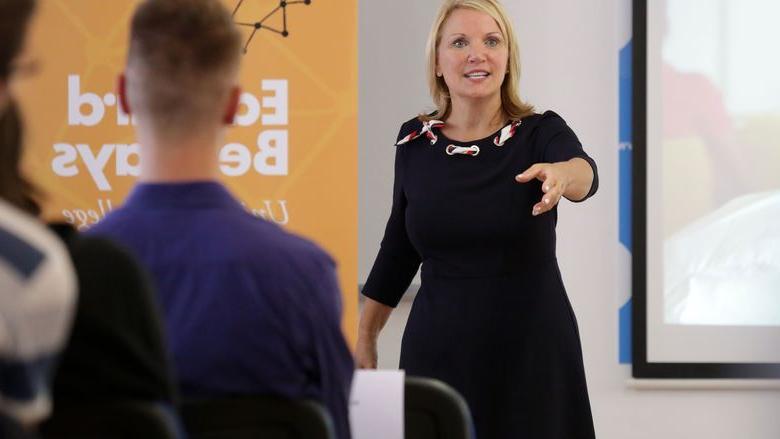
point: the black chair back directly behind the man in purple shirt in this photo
(256, 418)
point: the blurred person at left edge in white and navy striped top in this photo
(37, 285)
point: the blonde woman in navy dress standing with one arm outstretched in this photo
(476, 187)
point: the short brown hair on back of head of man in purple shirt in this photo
(182, 63)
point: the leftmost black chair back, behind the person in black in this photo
(111, 420)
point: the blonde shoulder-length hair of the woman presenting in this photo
(512, 105)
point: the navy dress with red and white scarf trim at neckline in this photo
(492, 317)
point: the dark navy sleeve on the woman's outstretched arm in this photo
(560, 144)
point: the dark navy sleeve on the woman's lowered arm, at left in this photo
(398, 260)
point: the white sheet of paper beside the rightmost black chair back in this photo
(376, 404)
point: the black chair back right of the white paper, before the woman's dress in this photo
(434, 410)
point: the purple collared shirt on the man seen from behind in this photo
(249, 309)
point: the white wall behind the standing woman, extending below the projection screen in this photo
(569, 53)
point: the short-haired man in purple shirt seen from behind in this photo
(249, 308)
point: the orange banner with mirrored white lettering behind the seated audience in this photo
(291, 156)
